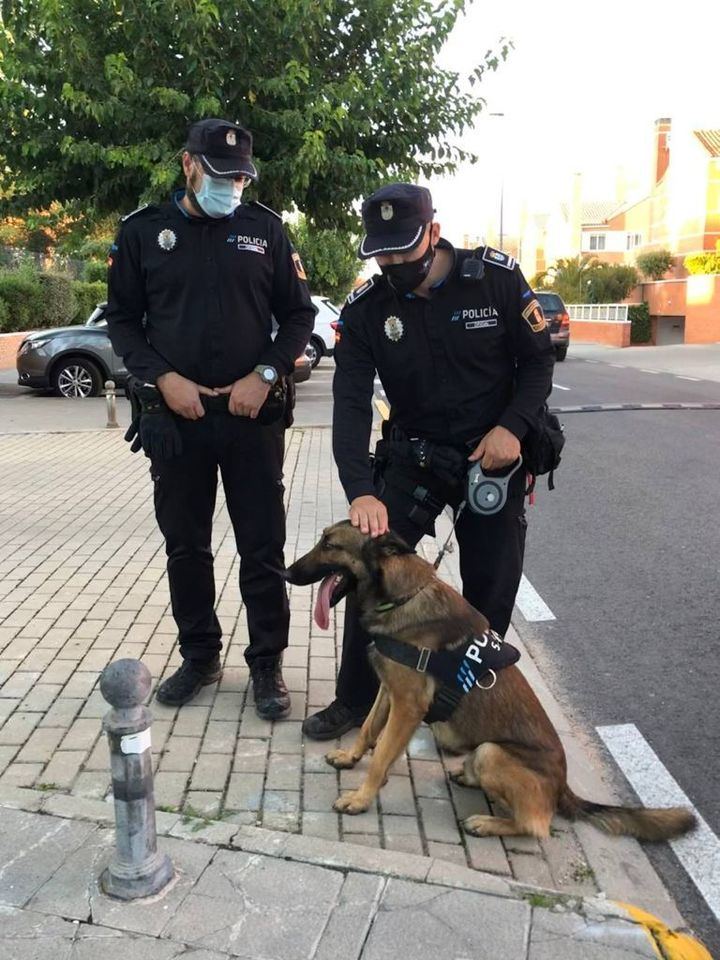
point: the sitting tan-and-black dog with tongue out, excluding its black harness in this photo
(513, 751)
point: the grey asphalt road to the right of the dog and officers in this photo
(626, 553)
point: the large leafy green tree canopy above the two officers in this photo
(339, 94)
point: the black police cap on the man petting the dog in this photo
(395, 217)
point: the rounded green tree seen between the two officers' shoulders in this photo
(329, 257)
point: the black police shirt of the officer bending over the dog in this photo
(475, 355)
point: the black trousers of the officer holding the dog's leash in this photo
(491, 560)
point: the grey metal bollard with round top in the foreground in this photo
(137, 868)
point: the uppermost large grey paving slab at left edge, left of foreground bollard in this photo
(32, 848)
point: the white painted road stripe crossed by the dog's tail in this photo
(699, 850)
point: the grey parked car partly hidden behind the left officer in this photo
(76, 361)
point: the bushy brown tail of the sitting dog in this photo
(645, 823)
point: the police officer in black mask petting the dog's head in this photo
(460, 345)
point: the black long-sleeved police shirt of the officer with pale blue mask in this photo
(207, 289)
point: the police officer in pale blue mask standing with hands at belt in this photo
(193, 286)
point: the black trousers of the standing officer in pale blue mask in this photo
(250, 459)
